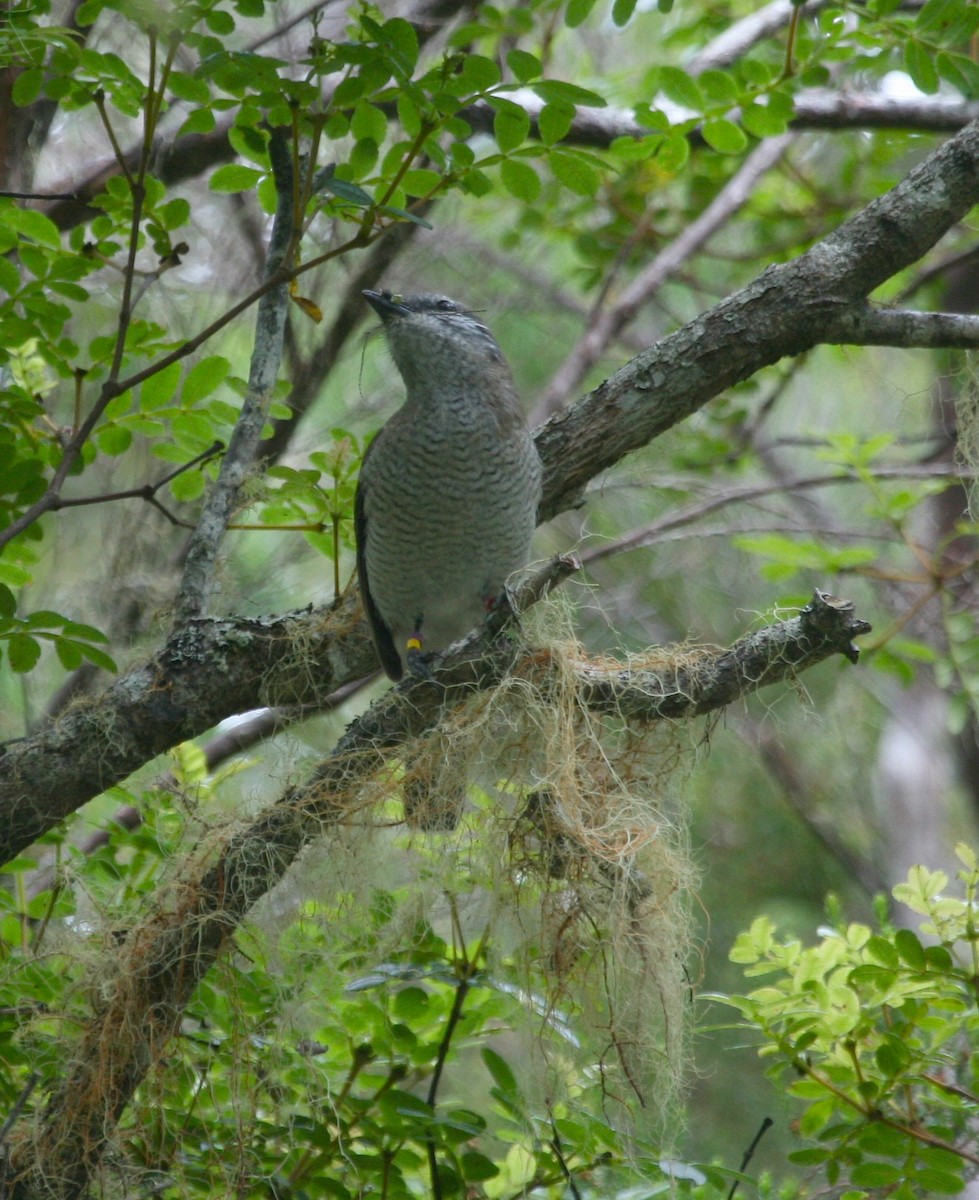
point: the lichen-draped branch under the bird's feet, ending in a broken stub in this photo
(170, 952)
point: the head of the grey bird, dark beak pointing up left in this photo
(435, 340)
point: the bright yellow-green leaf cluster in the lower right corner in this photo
(875, 1034)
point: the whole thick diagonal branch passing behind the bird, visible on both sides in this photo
(212, 670)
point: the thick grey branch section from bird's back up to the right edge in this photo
(788, 310)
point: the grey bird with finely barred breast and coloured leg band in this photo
(449, 490)
